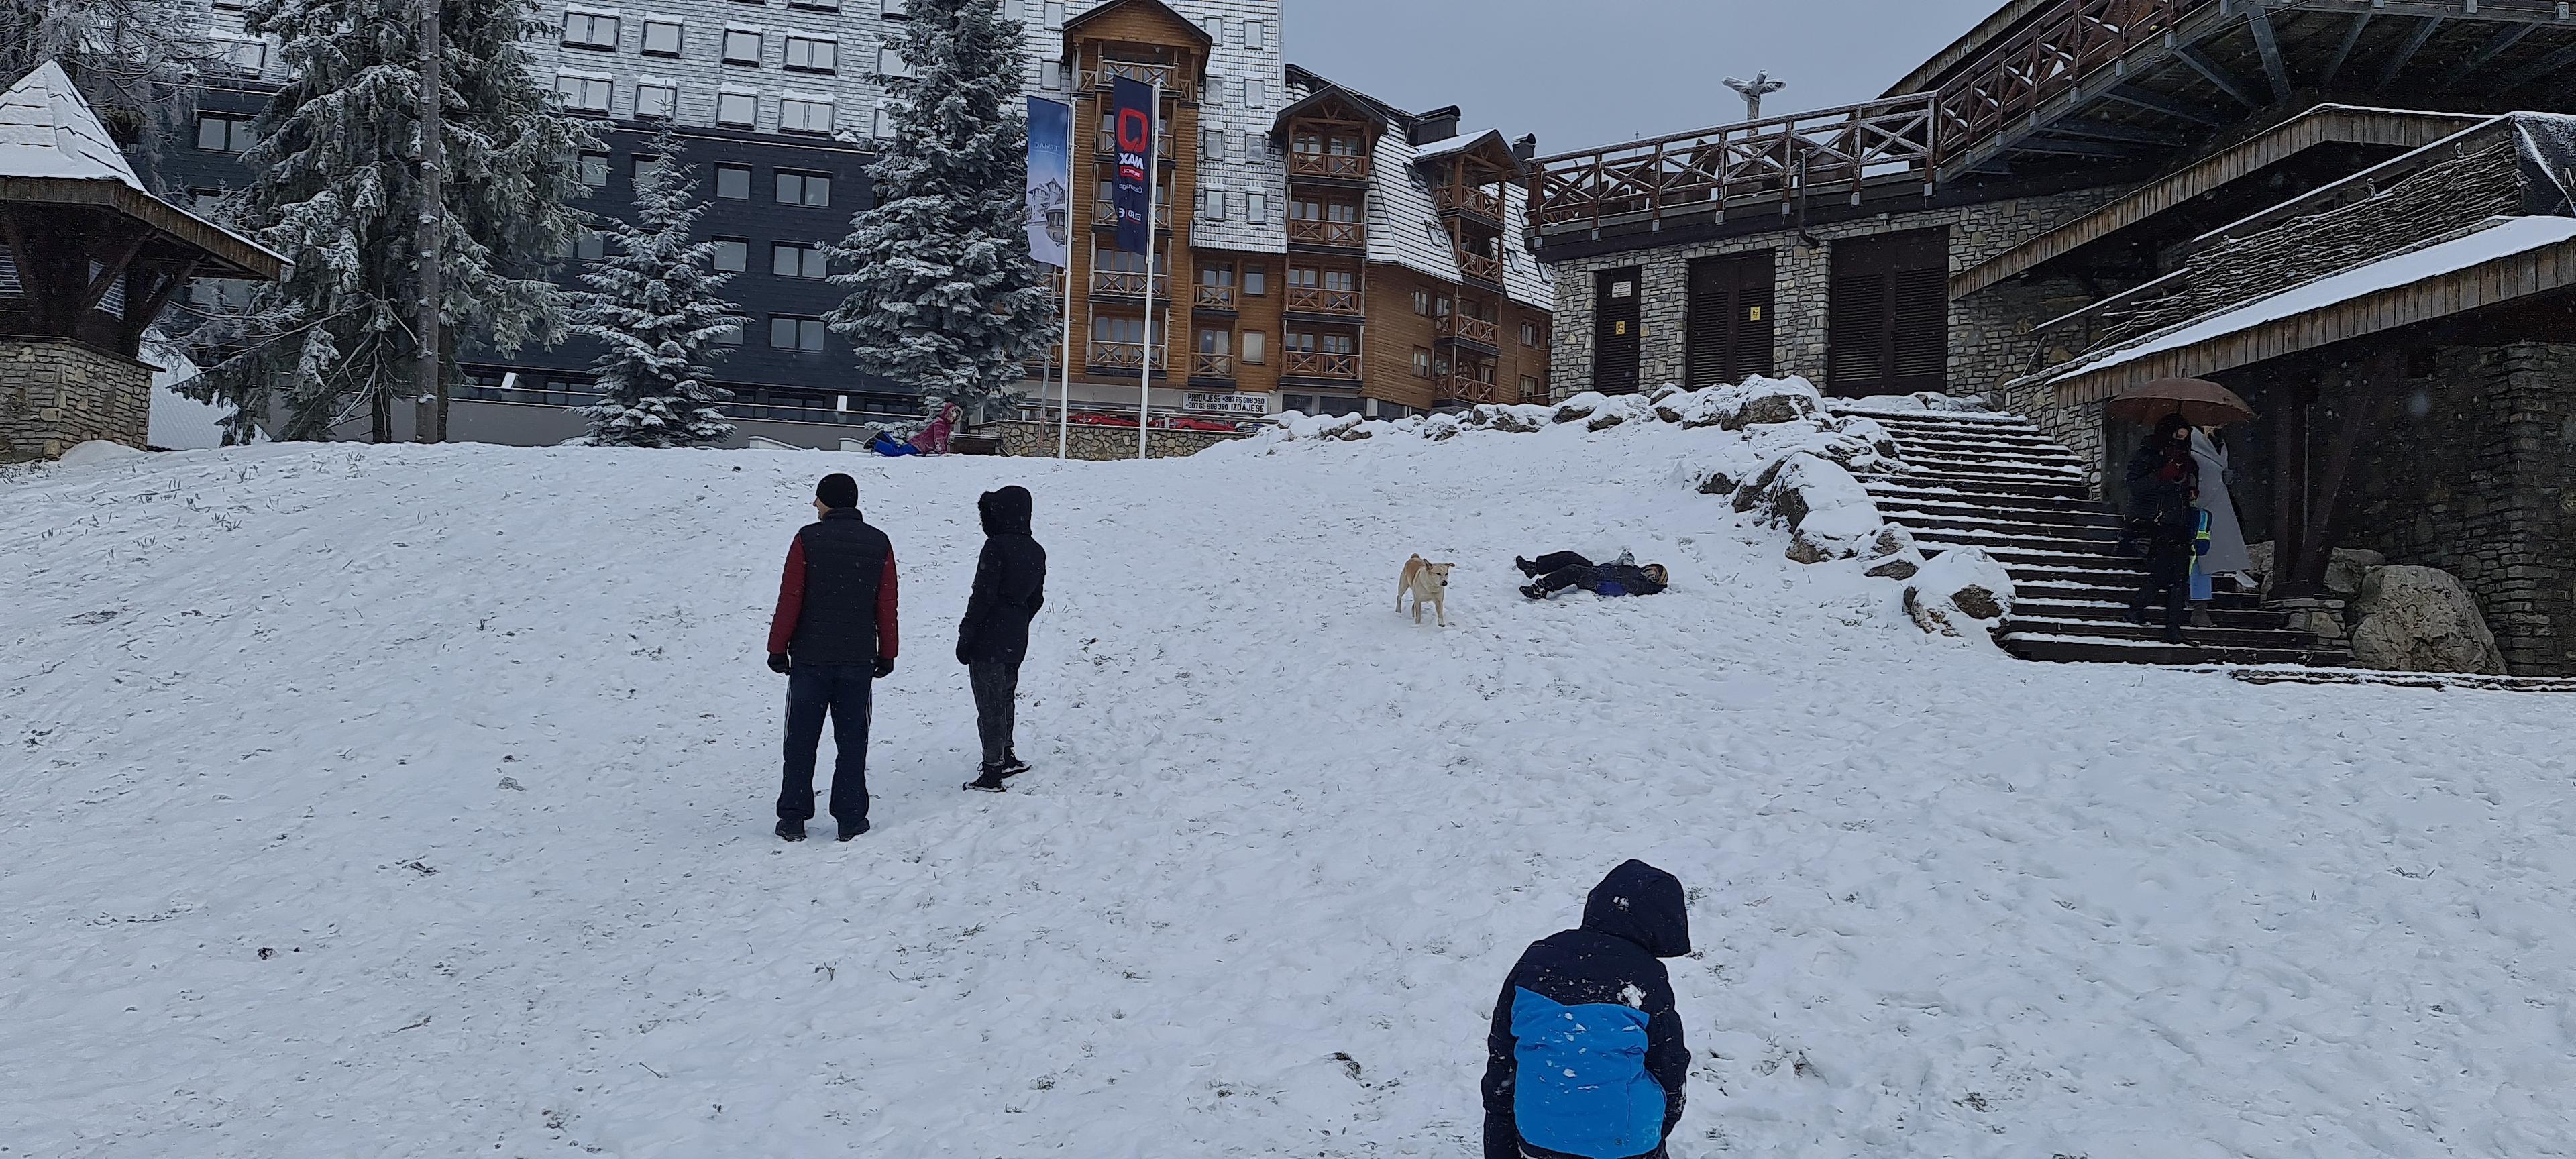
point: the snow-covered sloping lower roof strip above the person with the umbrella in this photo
(2500, 238)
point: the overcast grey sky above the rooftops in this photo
(1583, 73)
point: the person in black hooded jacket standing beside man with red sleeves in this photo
(993, 640)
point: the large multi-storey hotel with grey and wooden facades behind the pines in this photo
(784, 99)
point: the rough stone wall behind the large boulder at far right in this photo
(2477, 475)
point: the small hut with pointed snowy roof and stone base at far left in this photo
(86, 267)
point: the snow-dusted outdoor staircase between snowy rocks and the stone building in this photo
(2003, 485)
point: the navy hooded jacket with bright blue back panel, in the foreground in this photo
(1586, 1055)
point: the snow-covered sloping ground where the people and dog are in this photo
(413, 802)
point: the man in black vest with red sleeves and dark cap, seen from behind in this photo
(833, 640)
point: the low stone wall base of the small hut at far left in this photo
(58, 395)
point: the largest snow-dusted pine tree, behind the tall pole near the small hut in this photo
(336, 192)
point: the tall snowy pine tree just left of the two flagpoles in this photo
(944, 295)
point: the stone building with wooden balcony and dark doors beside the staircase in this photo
(2080, 197)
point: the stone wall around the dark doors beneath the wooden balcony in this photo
(1987, 331)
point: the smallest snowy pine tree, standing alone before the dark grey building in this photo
(653, 300)
